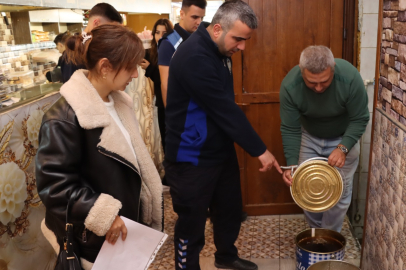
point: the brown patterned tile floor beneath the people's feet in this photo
(266, 240)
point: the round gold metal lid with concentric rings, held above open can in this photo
(316, 185)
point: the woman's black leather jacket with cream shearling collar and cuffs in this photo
(84, 153)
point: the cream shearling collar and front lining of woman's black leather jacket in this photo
(92, 113)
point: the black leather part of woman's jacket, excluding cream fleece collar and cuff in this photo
(69, 160)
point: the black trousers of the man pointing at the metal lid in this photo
(194, 190)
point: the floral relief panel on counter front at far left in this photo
(22, 245)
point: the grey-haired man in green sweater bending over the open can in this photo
(324, 112)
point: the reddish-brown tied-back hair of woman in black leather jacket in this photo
(117, 43)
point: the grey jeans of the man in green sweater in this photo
(312, 146)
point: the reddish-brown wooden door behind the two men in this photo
(286, 27)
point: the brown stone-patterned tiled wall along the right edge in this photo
(385, 230)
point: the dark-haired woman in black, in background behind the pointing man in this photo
(150, 64)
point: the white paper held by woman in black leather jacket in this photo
(137, 252)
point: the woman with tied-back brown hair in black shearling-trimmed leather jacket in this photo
(90, 150)
